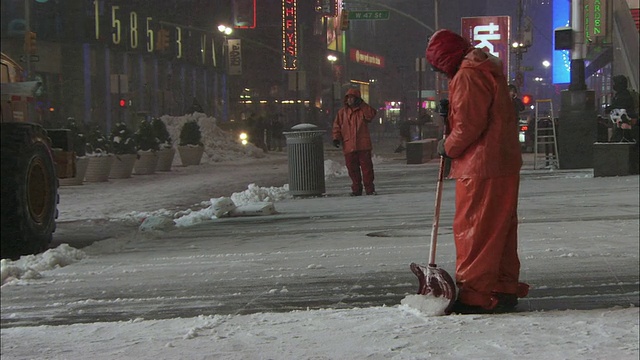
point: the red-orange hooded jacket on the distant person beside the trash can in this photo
(351, 125)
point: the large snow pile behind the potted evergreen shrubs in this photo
(219, 145)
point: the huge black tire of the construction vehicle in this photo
(29, 190)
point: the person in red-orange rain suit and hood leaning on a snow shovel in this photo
(485, 161)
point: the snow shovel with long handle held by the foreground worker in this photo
(432, 279)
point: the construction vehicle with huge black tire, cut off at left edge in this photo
(29, 181)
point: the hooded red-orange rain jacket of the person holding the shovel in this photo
(483, 139)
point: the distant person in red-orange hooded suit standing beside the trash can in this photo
(350, 128)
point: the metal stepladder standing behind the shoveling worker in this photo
(545, 141)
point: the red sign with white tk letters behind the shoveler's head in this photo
(490, 33)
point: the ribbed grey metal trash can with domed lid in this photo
(305, 153)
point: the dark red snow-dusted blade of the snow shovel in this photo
(435, 281)
